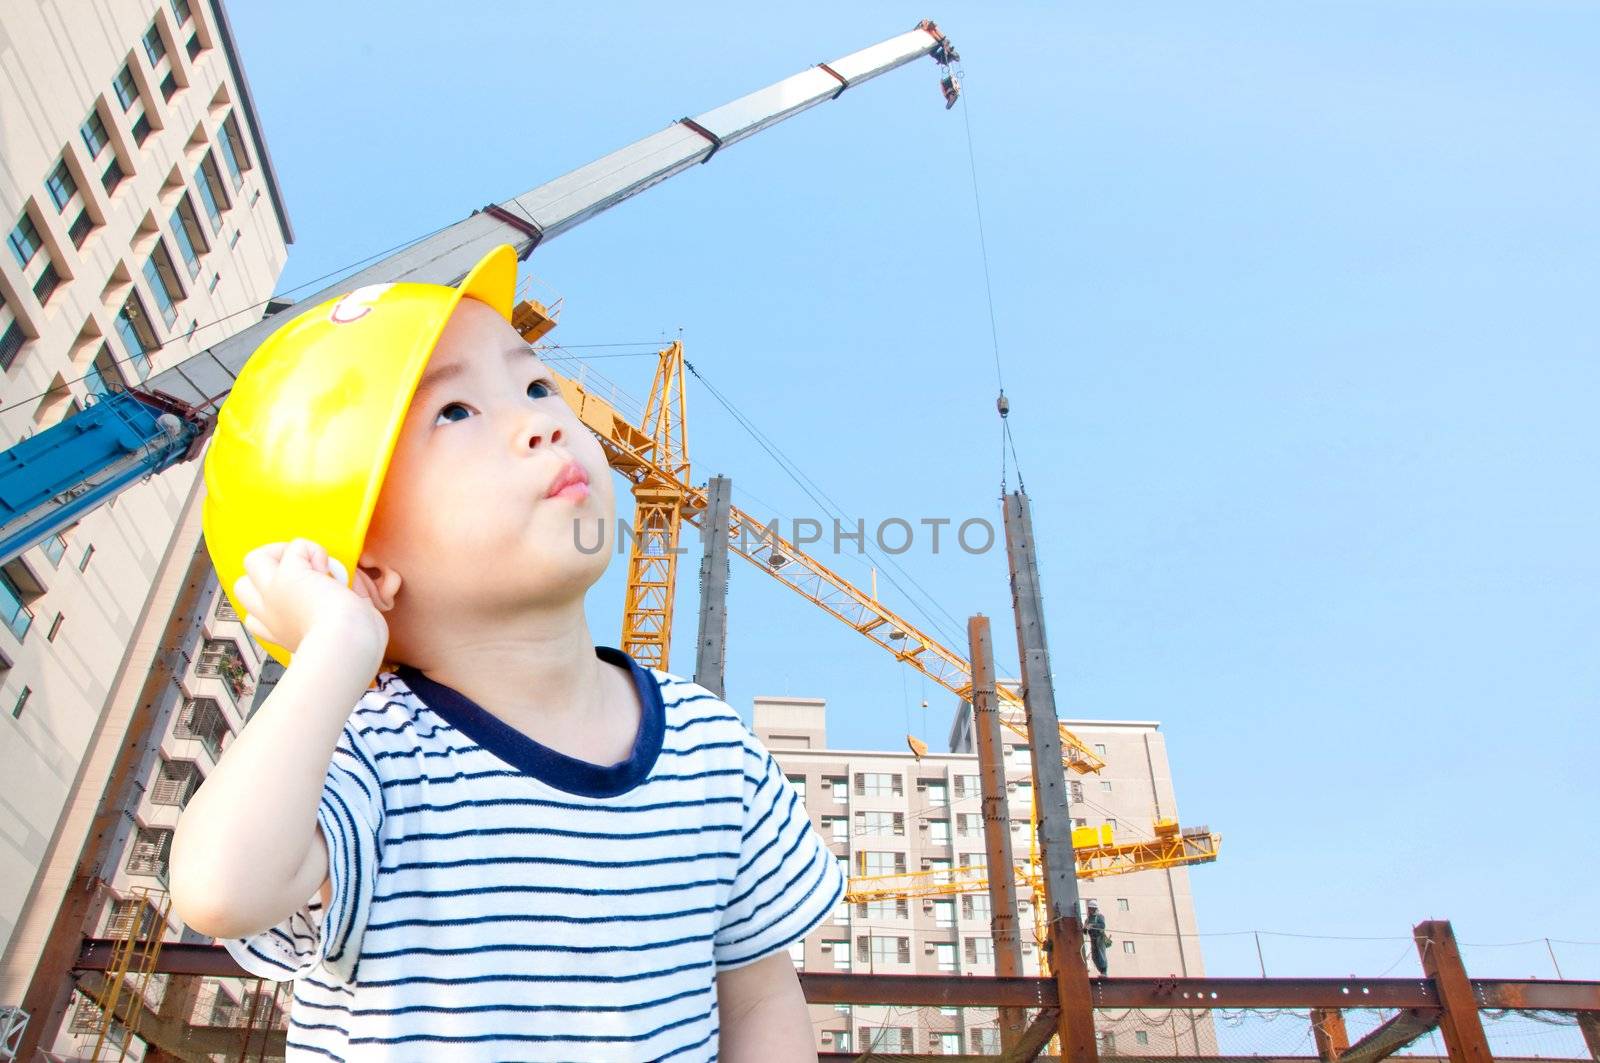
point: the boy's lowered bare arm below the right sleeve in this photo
(764, 1016)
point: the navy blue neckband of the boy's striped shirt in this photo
(542, 763)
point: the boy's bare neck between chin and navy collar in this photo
(543, 678)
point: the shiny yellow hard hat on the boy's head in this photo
(305, 438)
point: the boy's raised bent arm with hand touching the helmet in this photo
(249, 852)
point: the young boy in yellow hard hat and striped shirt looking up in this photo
(516, 844)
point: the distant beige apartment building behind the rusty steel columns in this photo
(894, 812)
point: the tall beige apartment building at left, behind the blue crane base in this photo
(143, 223)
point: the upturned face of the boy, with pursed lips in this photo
(473, 513)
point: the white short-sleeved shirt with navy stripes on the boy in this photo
(494, 899)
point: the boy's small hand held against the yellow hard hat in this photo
(294, 588)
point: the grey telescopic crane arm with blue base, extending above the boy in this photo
(55, 478)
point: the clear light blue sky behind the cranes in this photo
(1297, 315)
